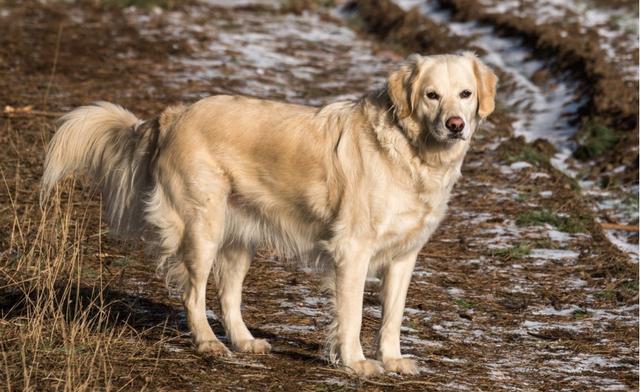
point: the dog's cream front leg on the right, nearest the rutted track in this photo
(395, 283)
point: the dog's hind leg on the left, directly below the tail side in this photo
(203, 236)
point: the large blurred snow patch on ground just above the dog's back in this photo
(260, 56)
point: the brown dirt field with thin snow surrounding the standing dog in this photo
(520, 289)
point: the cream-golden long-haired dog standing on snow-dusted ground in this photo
(356, 186)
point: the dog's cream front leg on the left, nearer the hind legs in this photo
(351, 273)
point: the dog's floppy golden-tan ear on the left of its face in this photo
(400, 86)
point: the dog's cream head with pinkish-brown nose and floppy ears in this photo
(439, 100)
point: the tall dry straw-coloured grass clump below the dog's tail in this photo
(56, 325)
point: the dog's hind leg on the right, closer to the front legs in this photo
(229, 272)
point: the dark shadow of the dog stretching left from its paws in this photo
(150, 319)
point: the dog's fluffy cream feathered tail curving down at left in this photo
(114, 148)
